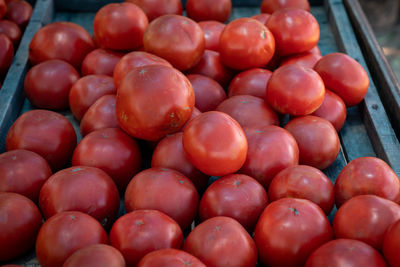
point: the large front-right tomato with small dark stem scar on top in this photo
(289, 230)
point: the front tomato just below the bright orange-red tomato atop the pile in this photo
(229, 196)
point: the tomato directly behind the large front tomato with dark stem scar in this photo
(302, 181)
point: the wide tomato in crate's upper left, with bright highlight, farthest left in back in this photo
(61, 40)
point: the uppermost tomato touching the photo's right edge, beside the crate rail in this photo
(367, 176)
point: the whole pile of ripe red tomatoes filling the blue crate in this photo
(165, 102)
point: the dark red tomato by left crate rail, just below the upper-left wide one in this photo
(47, 84)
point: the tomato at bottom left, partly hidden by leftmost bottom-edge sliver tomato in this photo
(65, 233)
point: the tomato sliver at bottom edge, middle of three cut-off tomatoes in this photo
(169, 257)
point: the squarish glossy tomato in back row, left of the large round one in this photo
(120, 26)
